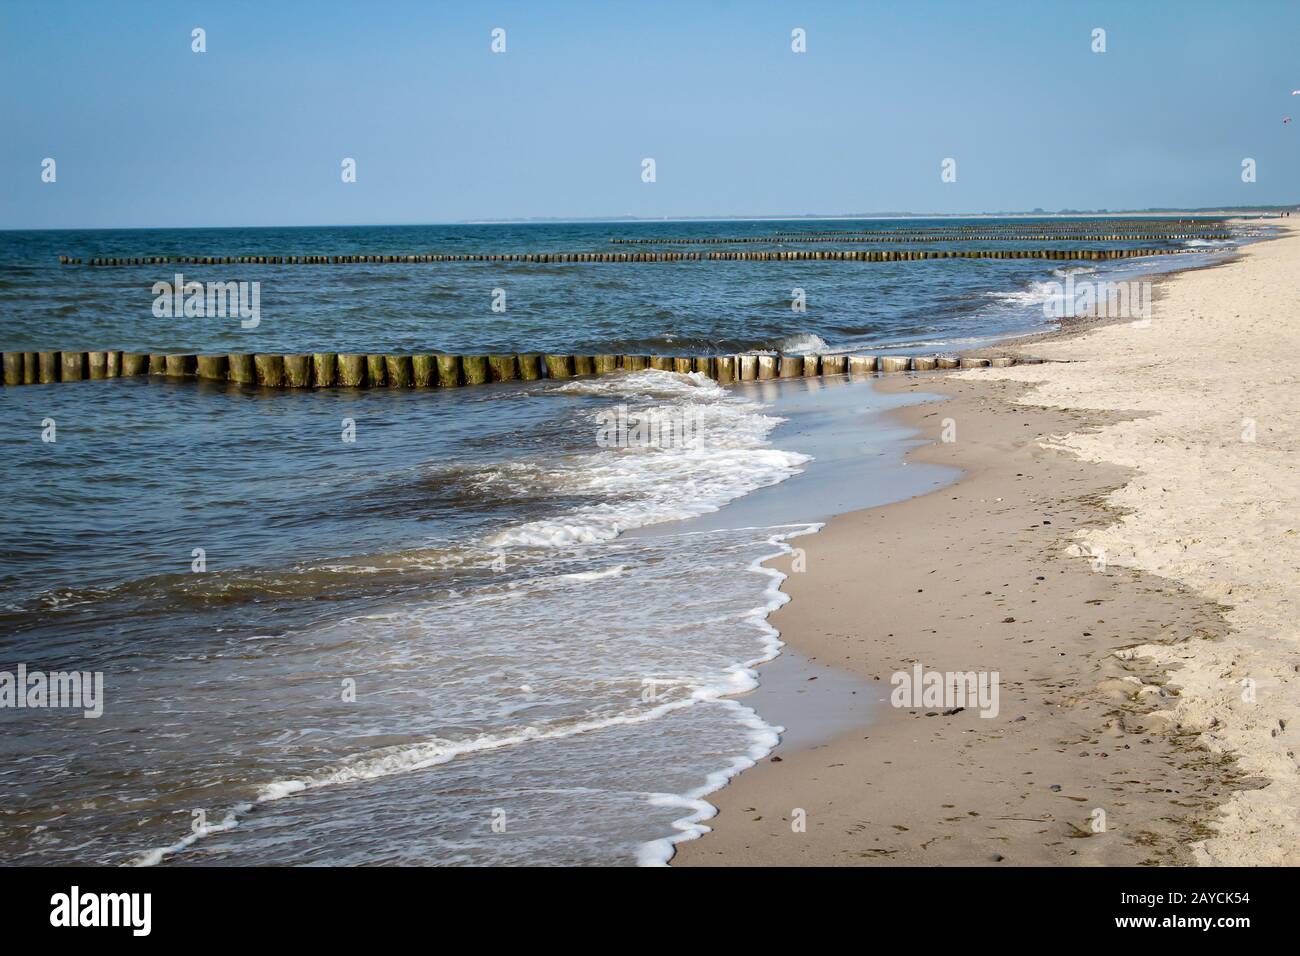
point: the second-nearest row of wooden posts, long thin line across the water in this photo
(775, 256)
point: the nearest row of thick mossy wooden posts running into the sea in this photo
(326, 370)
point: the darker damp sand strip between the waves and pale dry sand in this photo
(1095, 717)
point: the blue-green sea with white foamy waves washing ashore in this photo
(437, 628)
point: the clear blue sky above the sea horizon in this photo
(148, 133)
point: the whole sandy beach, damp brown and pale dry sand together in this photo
(1124, 552)
